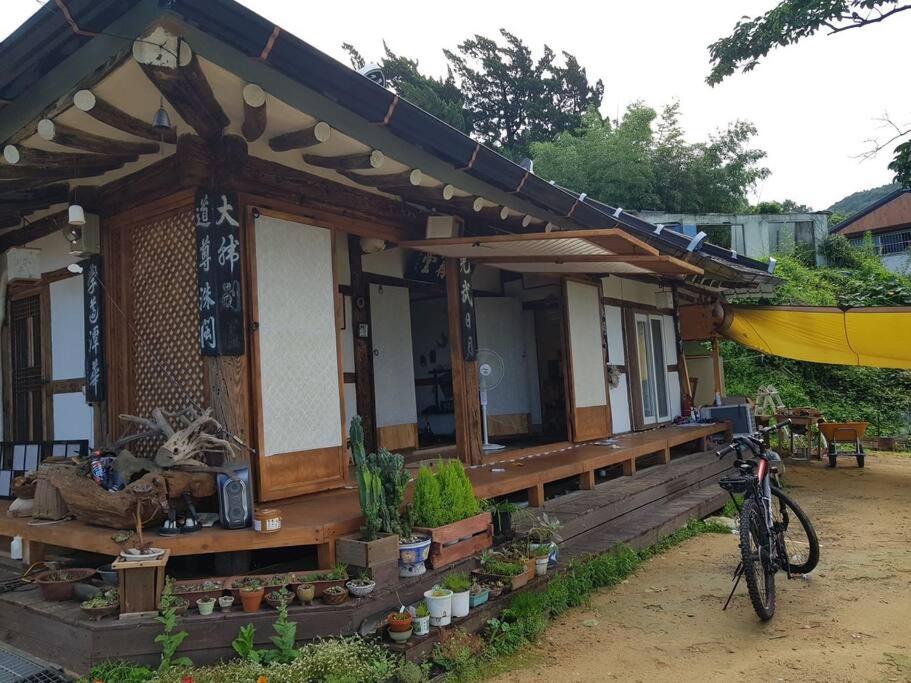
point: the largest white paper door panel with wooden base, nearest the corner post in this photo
(299, 413)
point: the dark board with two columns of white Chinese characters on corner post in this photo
(218, 274)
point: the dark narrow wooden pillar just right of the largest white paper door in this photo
(363, 344)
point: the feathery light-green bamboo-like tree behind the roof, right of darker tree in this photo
(643, 161)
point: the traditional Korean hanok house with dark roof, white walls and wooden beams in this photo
(272, 234)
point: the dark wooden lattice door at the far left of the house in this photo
(27, 381)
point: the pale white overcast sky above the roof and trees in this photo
(816, 104)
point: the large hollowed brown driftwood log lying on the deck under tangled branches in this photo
(90, 503)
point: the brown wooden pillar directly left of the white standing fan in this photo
(466, 400)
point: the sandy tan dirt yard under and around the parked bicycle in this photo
(849, 621)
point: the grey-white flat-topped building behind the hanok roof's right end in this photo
(757, 235)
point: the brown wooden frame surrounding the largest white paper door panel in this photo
(264, 488)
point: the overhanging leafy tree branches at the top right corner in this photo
(789, 22)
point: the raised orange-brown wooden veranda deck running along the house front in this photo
(318, 519)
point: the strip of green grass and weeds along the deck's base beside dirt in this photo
(503, 645)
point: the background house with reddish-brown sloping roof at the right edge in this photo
(889, 221)
